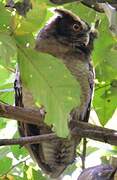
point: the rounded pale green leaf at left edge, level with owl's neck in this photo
(7, 48)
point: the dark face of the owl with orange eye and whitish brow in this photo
(71, 28)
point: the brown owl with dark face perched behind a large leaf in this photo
(70, 39)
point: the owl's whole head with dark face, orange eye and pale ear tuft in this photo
(67, 30)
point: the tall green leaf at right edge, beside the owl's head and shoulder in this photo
(105, 53)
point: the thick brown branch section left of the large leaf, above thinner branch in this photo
(31, 116)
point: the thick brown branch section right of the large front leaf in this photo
(95, 132)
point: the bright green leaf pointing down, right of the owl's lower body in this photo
(105, 103)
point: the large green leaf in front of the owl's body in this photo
(52, 85)
